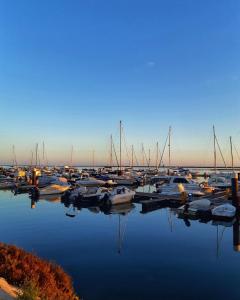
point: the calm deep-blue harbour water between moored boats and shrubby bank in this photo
(131, 256)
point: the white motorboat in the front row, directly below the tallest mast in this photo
(120, 194)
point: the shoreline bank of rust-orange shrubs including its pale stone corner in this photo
(27, 277)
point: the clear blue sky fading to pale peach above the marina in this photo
(71, 69)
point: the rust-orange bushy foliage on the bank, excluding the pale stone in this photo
(18, 266)
